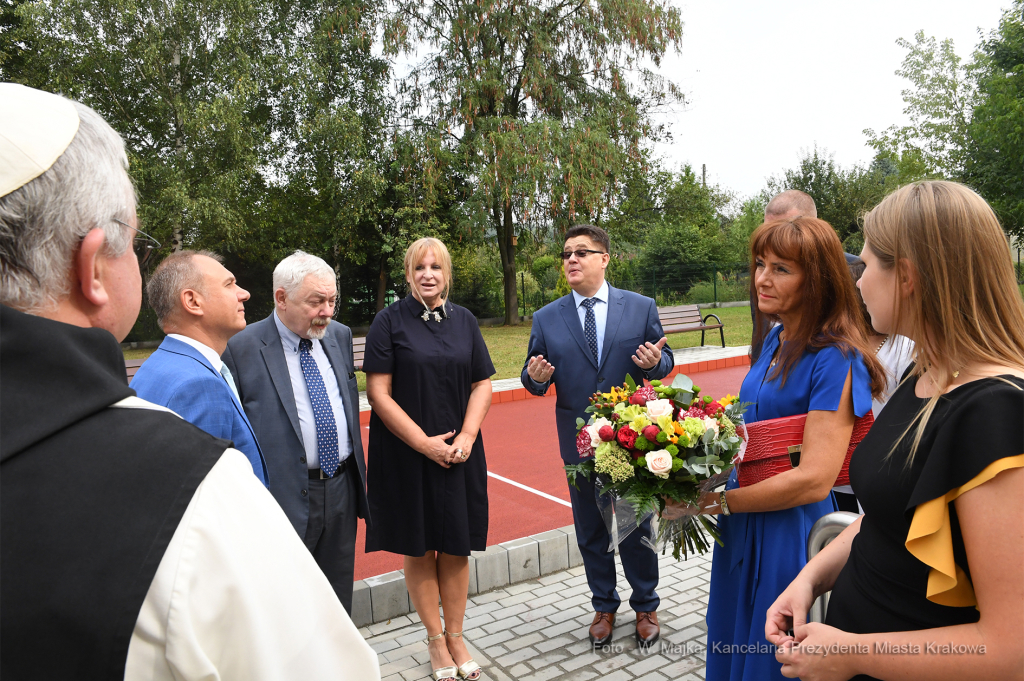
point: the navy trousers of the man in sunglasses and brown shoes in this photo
(639, 563)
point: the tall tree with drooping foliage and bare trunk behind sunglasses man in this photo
(541, 103)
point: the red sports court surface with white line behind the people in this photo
(523, 446)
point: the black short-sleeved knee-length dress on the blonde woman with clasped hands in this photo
(415, 504)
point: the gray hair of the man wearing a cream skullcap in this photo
(44, 222)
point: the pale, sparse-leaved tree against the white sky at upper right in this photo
(940, 104)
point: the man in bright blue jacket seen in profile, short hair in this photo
(200, 307)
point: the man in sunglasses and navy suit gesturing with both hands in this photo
(595, 336)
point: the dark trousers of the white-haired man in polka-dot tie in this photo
(331, 530)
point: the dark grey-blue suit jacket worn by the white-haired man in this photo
(257, 359)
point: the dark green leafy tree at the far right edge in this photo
(996, 161)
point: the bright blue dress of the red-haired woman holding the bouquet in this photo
(764, 552)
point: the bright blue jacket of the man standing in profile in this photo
(179, 377)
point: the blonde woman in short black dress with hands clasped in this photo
(429, 381)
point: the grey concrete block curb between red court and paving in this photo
(386, 598)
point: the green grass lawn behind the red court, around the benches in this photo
(508, 345)
